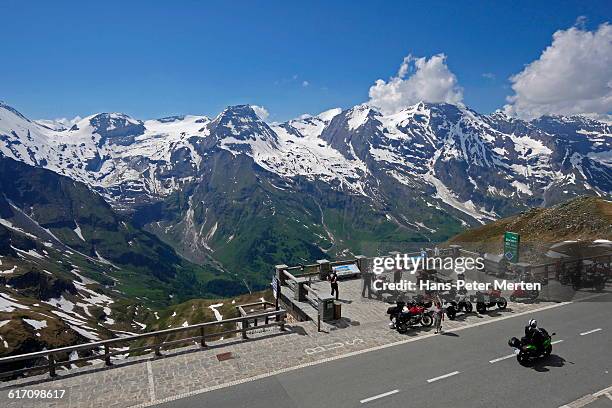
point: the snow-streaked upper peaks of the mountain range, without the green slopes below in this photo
(467, 160)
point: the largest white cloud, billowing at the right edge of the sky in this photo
(572, 76)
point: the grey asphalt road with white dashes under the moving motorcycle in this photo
(406, 375)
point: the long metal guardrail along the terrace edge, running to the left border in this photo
(53, 363)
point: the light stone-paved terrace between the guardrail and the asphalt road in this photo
(143, 380)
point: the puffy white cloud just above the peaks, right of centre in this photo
(418, 79)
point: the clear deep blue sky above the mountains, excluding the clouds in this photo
(153, 59)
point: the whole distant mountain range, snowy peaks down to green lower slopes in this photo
(339, 182)
